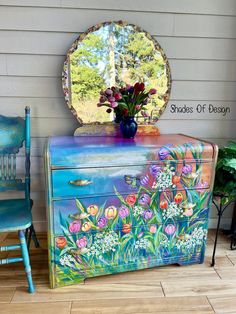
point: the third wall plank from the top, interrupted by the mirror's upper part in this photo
(55, 43)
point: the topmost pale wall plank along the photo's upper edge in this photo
(217, 7)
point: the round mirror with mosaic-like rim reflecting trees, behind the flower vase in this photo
(114, 54)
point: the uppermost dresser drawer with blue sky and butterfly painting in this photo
(98, 181)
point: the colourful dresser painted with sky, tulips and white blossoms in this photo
(117, 205)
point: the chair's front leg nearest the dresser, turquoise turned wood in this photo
(25, 255)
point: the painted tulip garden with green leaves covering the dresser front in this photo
(162, 219)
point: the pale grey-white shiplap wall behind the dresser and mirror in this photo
(199, 38)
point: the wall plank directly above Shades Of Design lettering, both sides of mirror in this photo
(51, 87)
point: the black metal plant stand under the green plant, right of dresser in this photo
(220, 210)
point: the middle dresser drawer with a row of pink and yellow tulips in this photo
(125, 212)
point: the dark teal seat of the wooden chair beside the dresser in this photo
(14, 215)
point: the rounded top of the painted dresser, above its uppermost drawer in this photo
(97, 151)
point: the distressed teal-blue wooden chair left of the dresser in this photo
(15, 214)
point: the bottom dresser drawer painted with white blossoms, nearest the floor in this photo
(85, 255)
